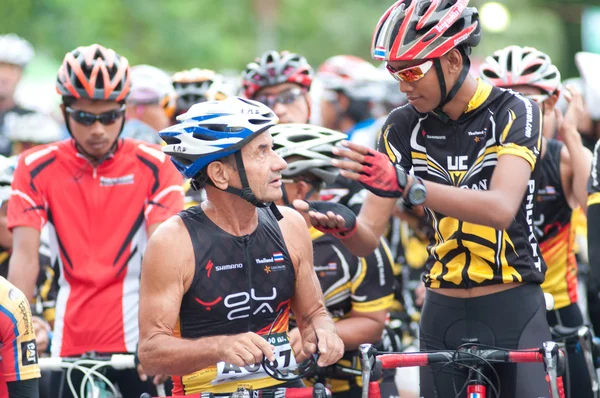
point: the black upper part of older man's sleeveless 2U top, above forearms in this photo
(240, 284)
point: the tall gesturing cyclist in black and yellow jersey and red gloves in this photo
(473, 149)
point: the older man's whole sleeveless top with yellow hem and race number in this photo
(240, 284)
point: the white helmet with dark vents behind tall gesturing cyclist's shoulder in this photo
(514, 65)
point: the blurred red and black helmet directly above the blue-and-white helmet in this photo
(275, 68)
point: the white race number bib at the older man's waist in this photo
(284, 359)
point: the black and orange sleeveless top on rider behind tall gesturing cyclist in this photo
(554, 231)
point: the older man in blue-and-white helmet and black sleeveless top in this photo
(219, 280)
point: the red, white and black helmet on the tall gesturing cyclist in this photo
(424, 29)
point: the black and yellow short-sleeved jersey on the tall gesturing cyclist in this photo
(464, 153)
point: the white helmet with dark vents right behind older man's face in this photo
(313, 143)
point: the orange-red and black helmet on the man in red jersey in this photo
(94, 72)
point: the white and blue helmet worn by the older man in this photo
(212, 130)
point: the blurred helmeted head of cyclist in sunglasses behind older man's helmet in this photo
(281, 80)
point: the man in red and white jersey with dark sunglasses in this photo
(101, 196)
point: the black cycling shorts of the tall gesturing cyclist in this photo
(513, 319)
